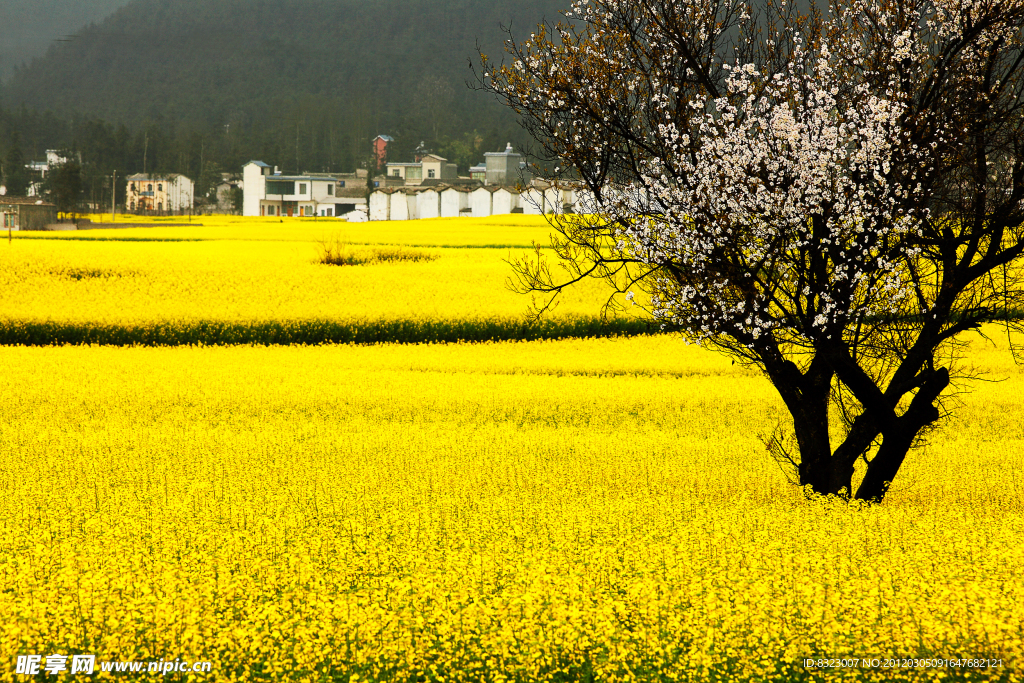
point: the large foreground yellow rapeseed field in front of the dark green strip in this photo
(571, 510)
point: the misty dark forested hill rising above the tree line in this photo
(332, 72)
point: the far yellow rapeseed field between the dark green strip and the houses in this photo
(251, 272)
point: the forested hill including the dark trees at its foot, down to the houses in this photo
(303, 84)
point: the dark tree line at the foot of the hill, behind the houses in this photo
(204, 154)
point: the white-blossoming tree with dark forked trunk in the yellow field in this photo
(833, 196)
